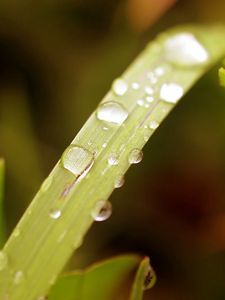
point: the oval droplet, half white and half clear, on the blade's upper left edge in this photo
(112, 112)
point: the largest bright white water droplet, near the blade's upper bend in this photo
(185, 50)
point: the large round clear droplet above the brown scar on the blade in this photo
(77, 160)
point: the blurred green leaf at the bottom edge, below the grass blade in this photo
(107, 280)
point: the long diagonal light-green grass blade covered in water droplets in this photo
(62, 211)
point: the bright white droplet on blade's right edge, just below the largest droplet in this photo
(171, 92)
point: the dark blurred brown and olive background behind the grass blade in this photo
(57, 60)
